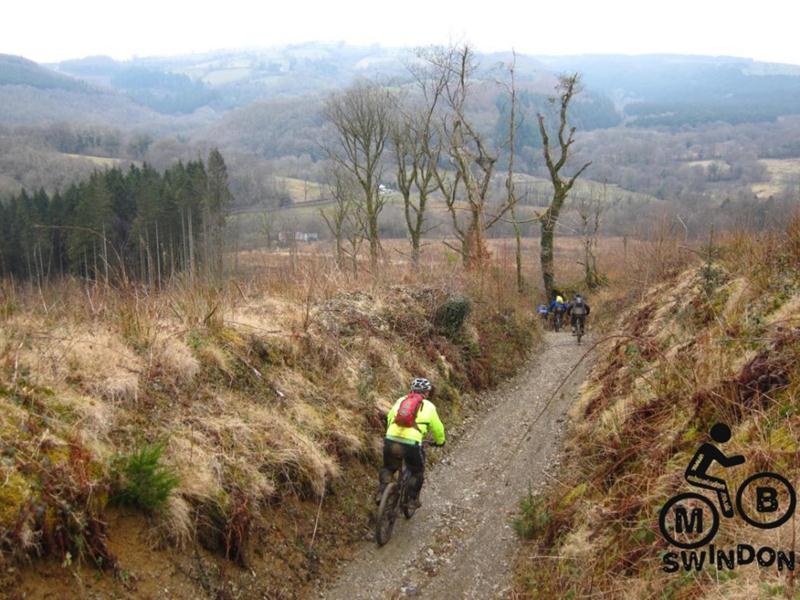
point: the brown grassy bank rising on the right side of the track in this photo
(717, 341)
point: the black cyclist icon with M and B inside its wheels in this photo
(689, 520)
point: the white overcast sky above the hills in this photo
(51, 31)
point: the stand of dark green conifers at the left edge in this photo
(120, 223)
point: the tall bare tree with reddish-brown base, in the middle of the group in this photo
(472, 163)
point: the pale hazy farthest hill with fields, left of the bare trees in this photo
(231, 79)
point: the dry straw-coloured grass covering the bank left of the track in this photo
(267, 389)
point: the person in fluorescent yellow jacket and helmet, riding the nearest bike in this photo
(405, 443)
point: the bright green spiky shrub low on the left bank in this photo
(141, 480)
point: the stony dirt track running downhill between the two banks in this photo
(460, 543)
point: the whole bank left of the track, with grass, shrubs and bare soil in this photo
(238, 424)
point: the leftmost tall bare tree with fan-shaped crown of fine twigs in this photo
(361, 117)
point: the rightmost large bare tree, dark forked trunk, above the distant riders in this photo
(567, 87)
